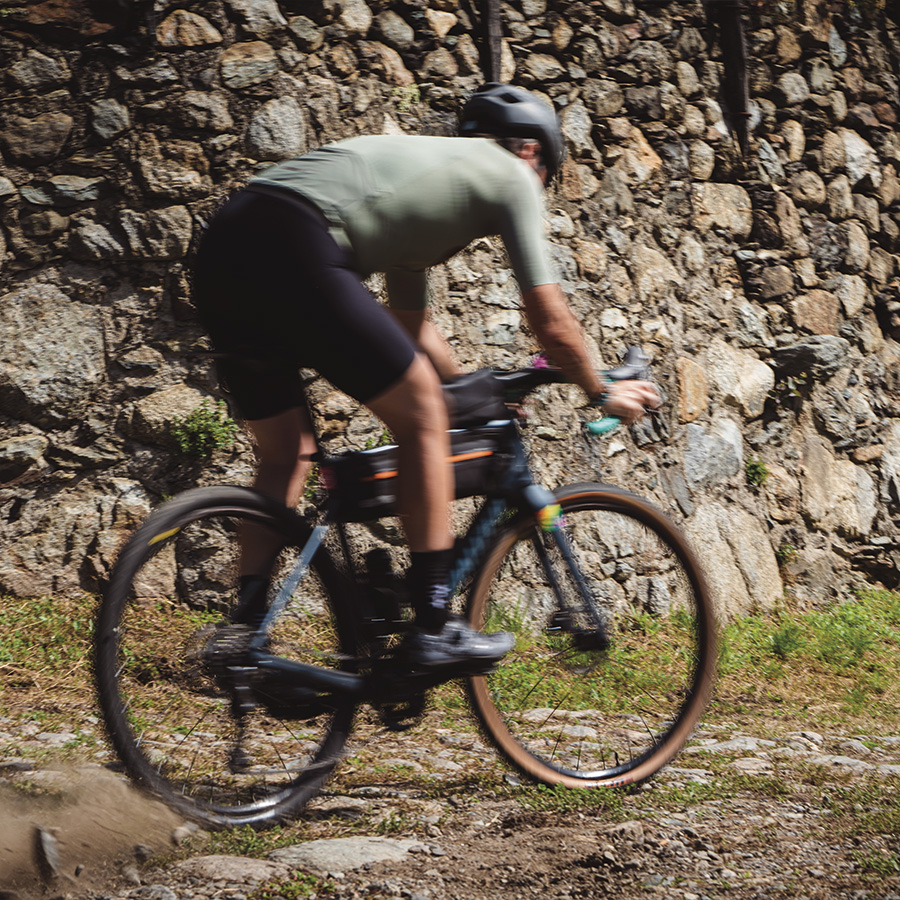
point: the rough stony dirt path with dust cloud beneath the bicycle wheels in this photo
(432, 814)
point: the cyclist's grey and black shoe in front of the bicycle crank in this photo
(456, 647)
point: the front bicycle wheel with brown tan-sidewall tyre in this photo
(565, 715)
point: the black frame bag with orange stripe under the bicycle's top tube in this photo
(363, 484)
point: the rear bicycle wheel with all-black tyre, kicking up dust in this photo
(169, 719)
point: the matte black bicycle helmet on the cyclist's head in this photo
(502, 110)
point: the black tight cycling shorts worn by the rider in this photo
(277, 293)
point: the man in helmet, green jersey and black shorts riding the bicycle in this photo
(278, 284)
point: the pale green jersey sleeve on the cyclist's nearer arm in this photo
(522, 231)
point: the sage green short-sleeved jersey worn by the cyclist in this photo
(402, 203)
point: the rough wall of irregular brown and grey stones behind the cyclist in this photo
(766, 289)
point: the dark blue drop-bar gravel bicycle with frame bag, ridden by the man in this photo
(615, 630)
